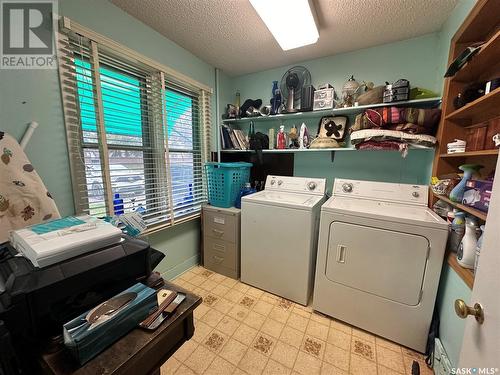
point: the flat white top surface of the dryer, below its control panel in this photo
(396, 212)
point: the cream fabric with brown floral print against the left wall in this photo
(24, 199)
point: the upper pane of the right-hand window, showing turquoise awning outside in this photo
(179, 120)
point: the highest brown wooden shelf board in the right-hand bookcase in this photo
(482, 62)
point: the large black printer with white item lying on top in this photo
(36, 302)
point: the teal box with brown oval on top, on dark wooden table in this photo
(86, 340)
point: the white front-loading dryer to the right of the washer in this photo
(380, 254)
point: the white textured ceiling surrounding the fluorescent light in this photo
(230, 35)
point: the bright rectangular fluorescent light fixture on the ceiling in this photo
(290, 21)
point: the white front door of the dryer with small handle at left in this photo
(378, 261)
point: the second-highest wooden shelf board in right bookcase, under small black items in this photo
(480, 109)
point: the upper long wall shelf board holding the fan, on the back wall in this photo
(336, 111)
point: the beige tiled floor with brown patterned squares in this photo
(243, 330)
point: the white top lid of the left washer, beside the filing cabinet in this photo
(278, 198)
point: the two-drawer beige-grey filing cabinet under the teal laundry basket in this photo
(221, 240)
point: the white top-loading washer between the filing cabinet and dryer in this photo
(279, 231)
